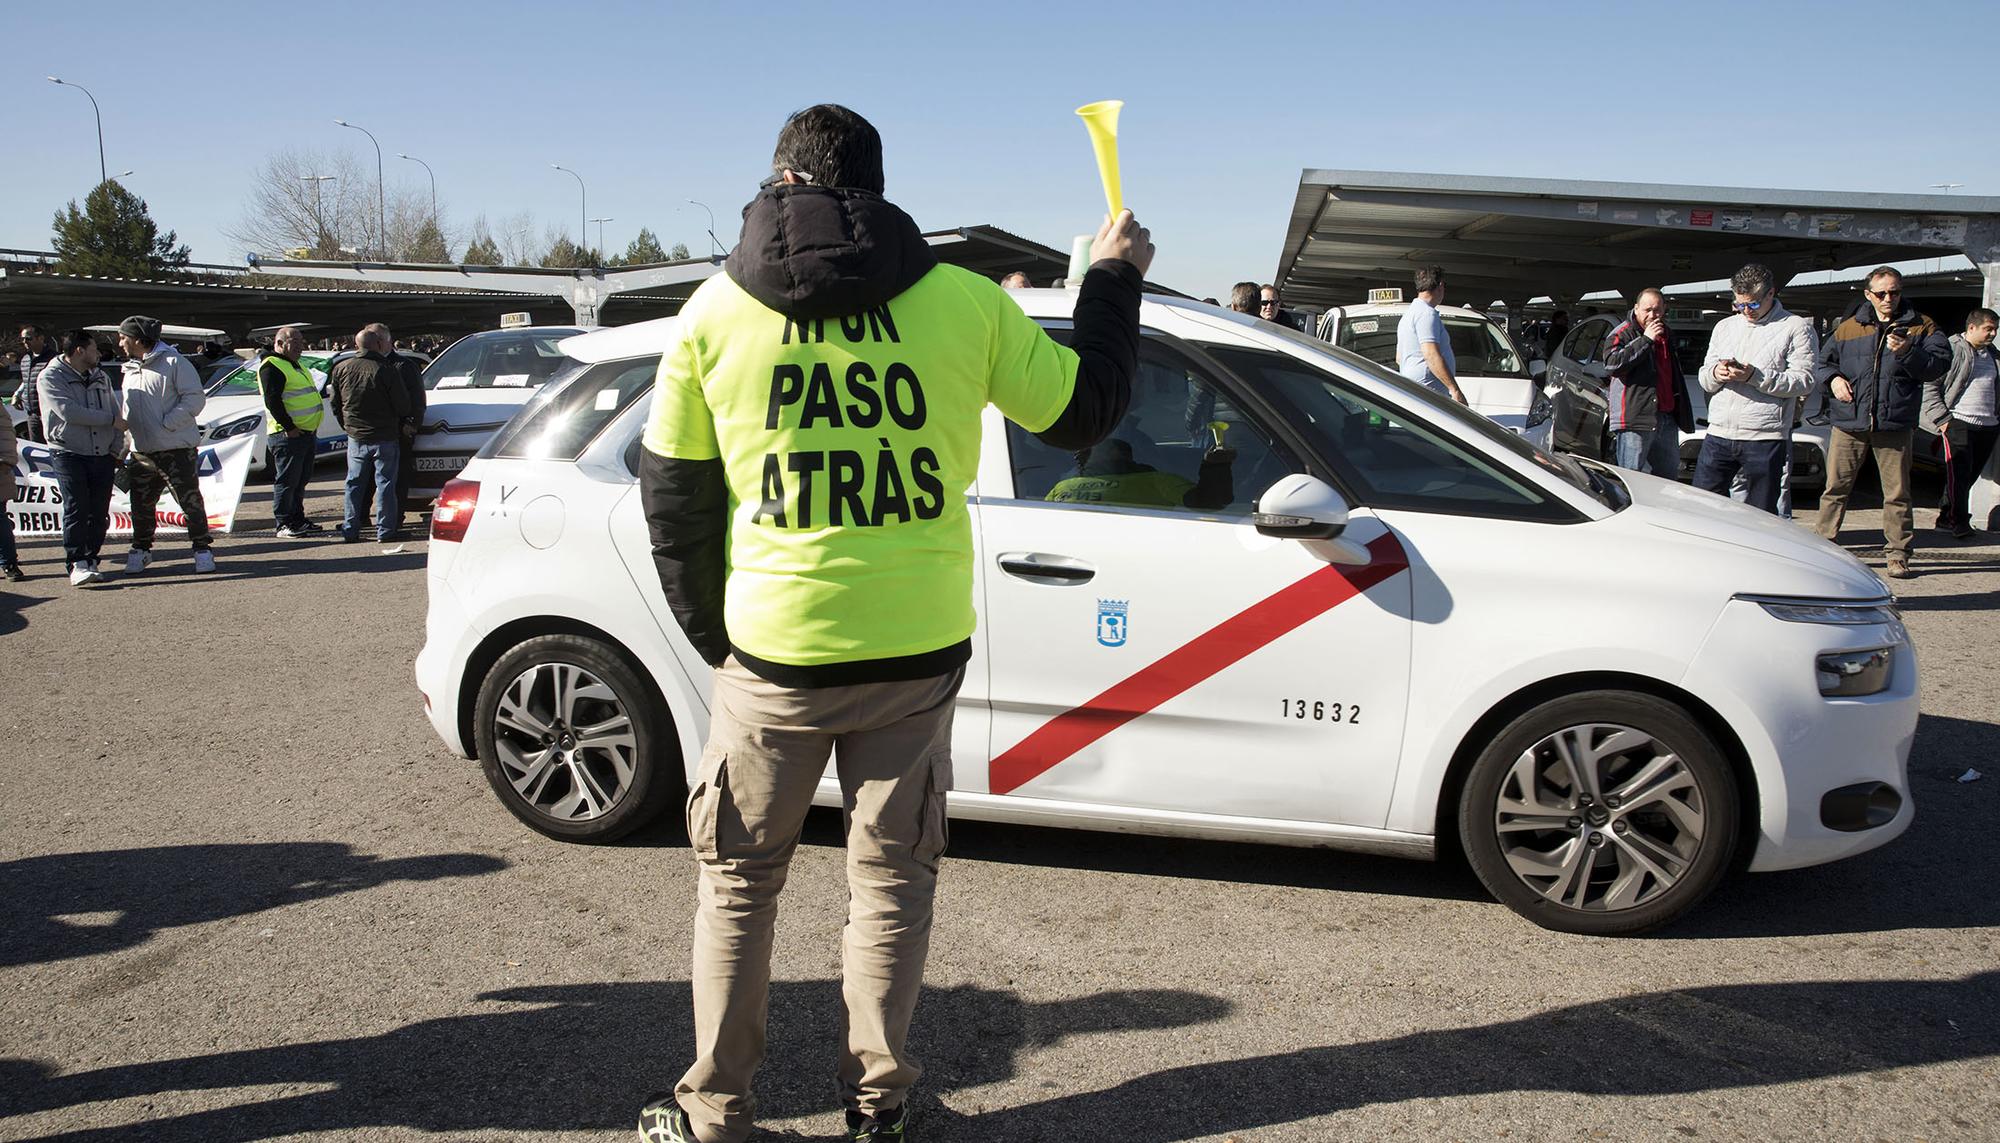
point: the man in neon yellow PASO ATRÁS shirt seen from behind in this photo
(829, 385)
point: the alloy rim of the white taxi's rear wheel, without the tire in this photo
(565, 742)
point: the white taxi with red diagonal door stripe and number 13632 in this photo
(1397, 636)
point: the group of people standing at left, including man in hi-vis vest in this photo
(137, 431)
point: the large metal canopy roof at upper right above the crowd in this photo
(1517, 239)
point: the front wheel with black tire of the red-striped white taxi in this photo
(1601, 814)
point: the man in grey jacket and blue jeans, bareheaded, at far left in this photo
(85, 433)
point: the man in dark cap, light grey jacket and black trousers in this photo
(163, 395)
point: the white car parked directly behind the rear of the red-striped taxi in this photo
(471, 391)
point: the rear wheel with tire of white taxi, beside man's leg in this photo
(555, 750)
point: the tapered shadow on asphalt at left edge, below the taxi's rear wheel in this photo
(133, 894)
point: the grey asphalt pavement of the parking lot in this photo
(249, 896)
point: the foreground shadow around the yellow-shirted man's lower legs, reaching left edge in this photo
(567, 1058)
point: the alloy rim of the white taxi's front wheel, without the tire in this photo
(1601, 818)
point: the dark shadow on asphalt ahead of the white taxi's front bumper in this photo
(1941, 874)
